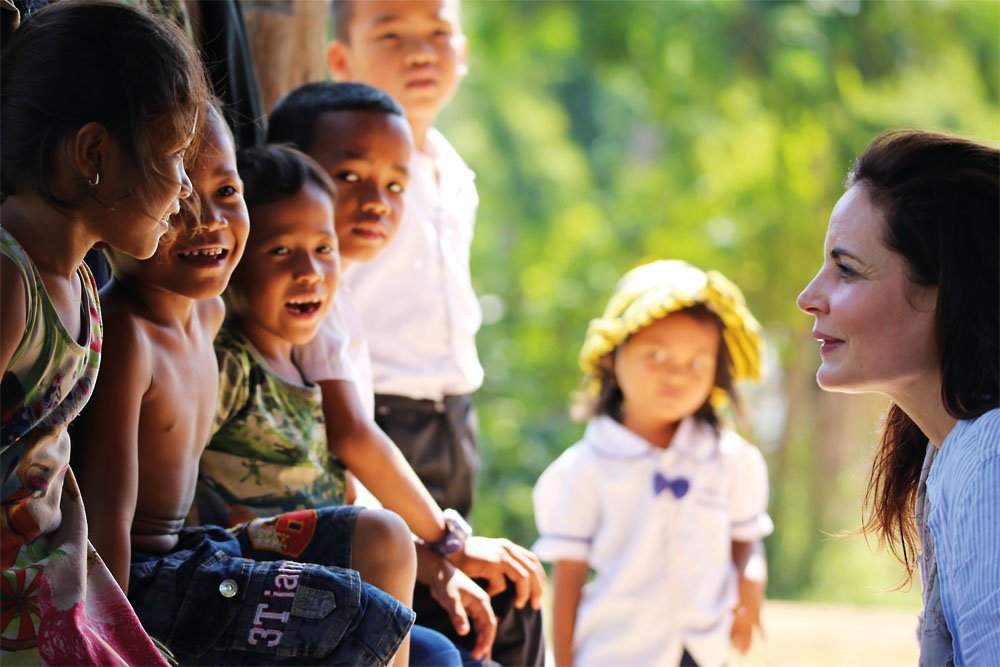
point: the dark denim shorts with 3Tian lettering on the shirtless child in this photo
(270, 591)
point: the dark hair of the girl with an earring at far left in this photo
(80, 61)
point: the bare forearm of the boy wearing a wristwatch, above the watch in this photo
(375, 460)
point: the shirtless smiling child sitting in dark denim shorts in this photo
(221, 597)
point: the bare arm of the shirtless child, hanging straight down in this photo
(109, 476)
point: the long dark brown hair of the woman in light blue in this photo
(940, 198)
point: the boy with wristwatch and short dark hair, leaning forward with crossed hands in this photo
(358, 135)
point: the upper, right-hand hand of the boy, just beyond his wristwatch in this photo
(499, 559)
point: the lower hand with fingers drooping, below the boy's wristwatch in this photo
(464, 600)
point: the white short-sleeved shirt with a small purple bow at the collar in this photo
(664, 577)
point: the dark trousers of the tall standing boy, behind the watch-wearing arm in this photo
(439, 439)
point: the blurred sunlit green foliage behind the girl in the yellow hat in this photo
(605, 133)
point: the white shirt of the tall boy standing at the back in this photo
(416, 298)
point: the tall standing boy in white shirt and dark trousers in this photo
(423, 350)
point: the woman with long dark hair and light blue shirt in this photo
(907, 304)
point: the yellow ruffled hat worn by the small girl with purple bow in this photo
(653, 291)
